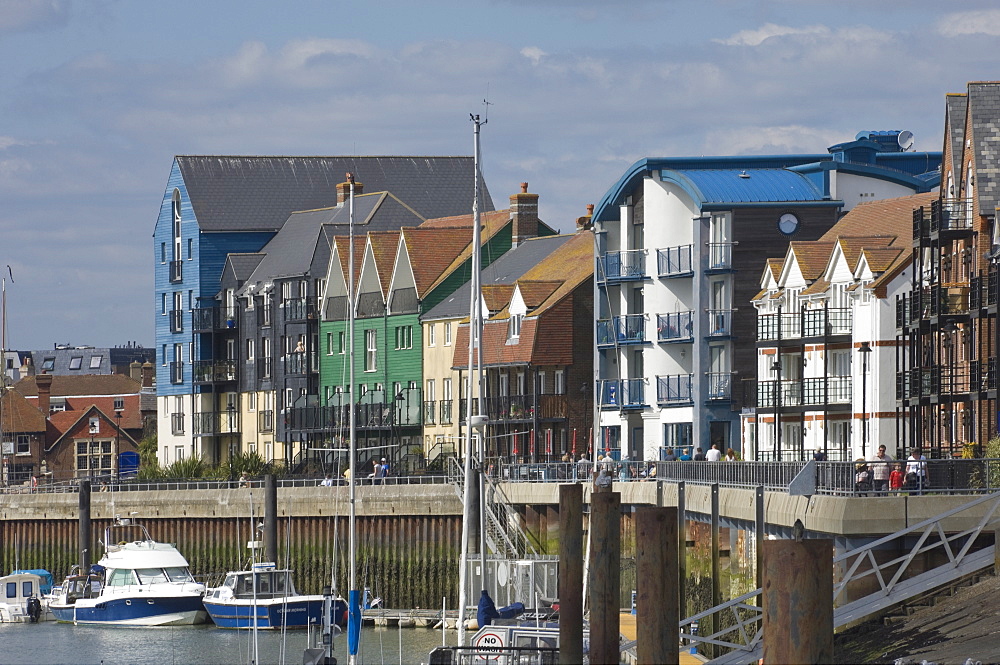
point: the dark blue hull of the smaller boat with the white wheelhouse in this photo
(272, 614)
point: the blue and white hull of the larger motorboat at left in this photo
(159, 611)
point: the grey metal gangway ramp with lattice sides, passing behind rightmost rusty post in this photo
(742, 618)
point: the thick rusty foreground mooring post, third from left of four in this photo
(657, 602)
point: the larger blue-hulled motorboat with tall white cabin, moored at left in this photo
(138, 582)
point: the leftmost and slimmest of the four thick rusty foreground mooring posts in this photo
(571, 574)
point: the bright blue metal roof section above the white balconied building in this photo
(748, 186)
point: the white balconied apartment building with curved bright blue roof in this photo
(680, 244)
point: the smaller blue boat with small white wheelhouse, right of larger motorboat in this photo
(266, 594)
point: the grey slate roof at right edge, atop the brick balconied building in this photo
(984, 104)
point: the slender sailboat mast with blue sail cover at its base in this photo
(354, 596)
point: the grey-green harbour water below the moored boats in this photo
(51, 643)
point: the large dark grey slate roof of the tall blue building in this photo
(242, 193)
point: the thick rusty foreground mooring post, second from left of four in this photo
(605, 577)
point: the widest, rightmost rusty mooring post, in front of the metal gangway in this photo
(798, 601)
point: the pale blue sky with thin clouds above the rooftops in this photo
(97, 96)
